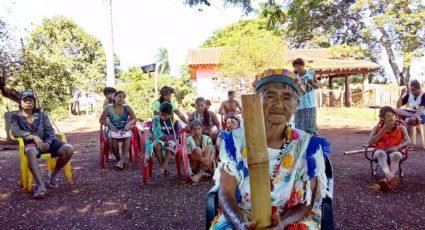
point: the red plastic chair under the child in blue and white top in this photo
(147, 167)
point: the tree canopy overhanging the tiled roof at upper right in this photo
(396, 28)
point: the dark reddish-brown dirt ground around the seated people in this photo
(110, 199)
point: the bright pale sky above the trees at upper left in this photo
(141, 27)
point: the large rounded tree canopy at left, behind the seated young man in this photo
(60, 56)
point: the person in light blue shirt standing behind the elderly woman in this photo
(306, 114)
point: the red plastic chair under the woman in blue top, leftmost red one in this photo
(105, 147)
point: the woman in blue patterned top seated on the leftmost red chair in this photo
(115, 117)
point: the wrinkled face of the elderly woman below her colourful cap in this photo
(279, 103)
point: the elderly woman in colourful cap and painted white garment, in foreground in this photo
(296, 159)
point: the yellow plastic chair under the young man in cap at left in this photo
(26, 175)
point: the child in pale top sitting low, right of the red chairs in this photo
(200, 151)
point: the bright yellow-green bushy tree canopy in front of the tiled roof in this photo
(250, 48)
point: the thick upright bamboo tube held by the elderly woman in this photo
(258, 160)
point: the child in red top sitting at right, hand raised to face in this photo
(390, 138)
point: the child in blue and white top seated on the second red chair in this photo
(166, 132)
